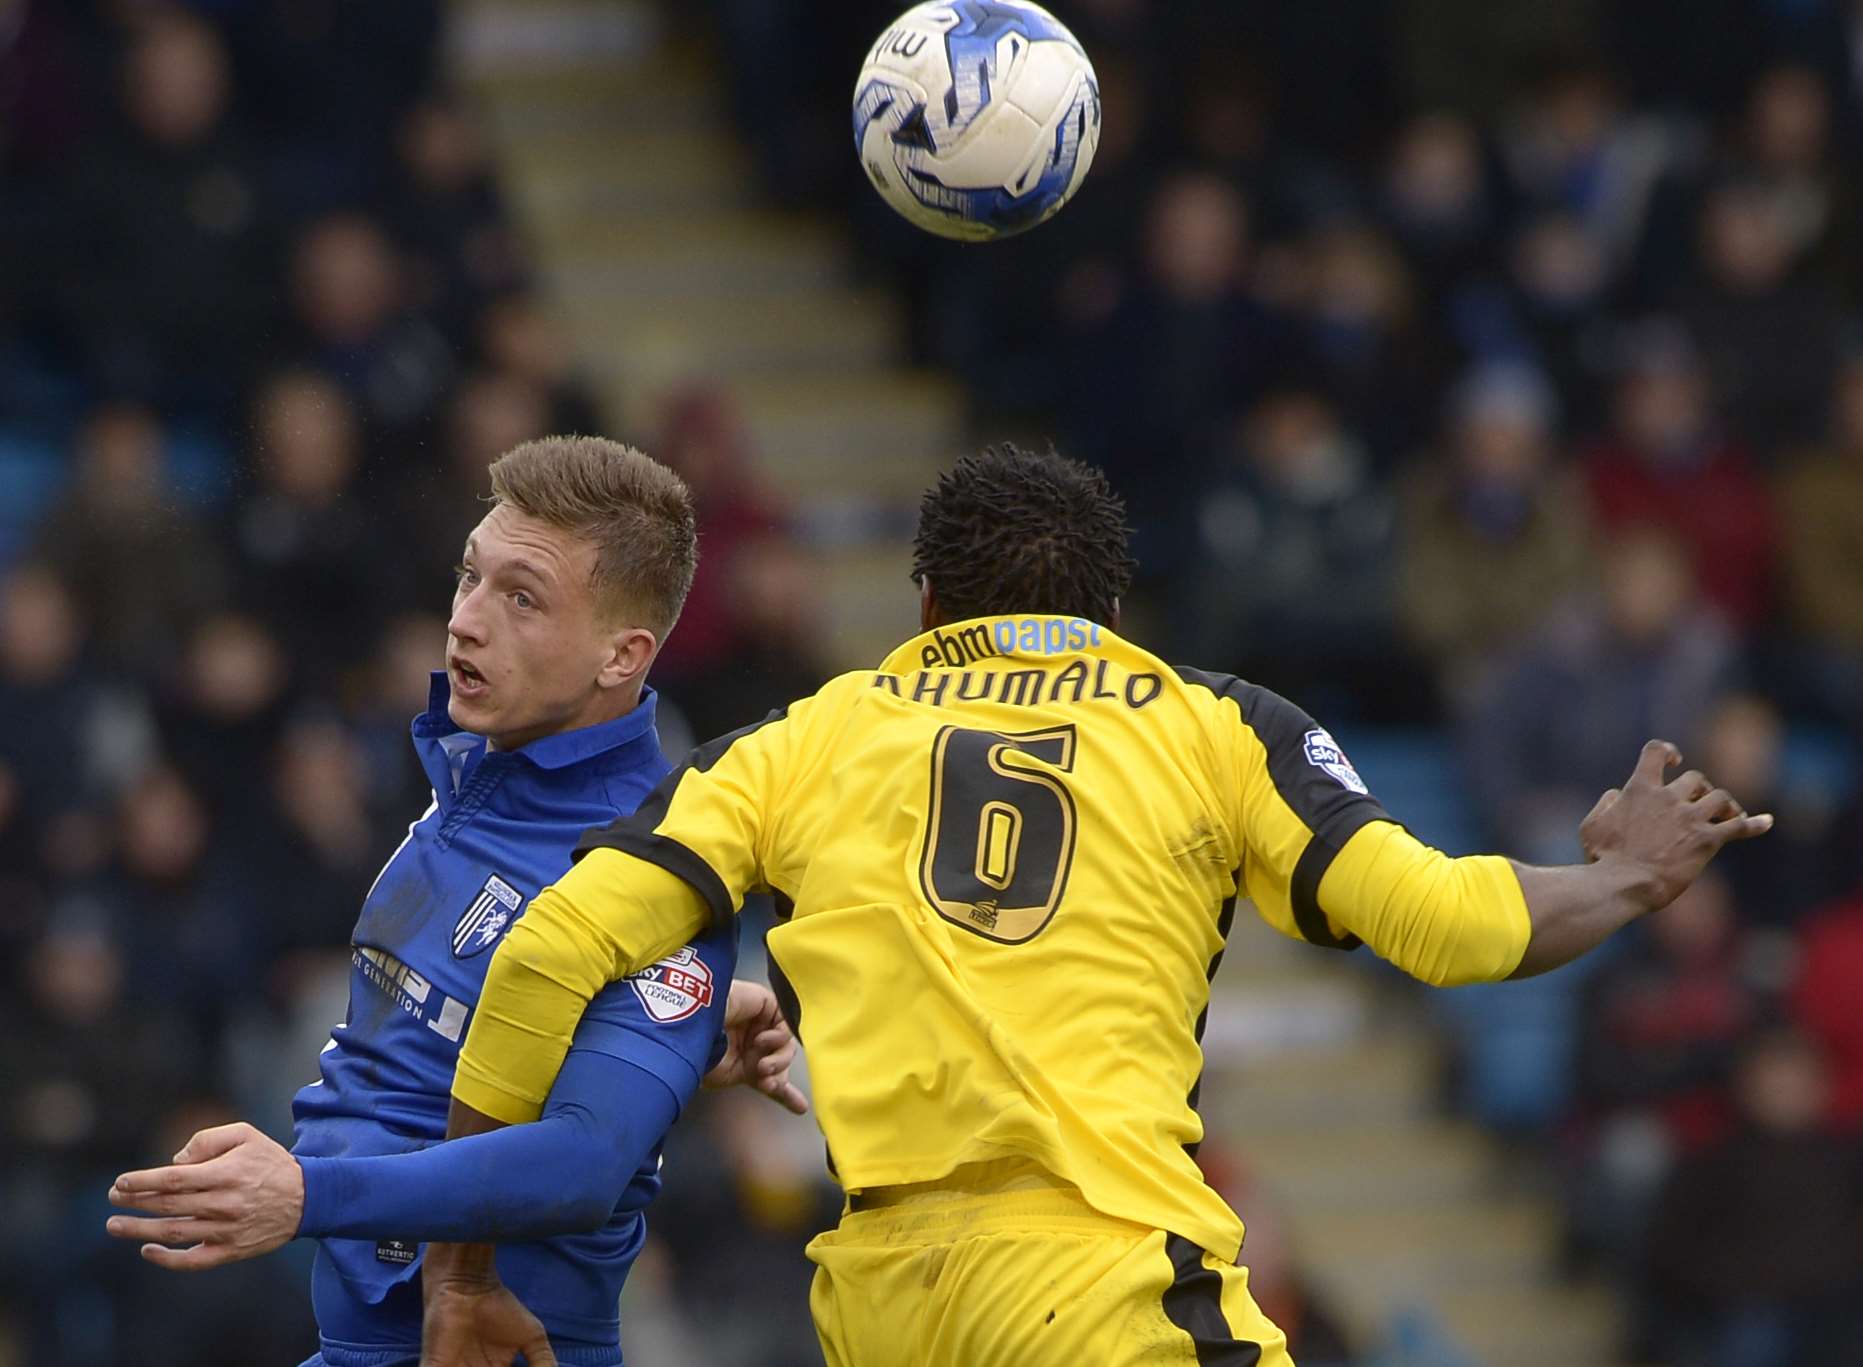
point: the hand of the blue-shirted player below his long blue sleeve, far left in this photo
(230, 1195)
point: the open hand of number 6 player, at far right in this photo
(1668, 830)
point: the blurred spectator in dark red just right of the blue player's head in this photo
(703, 442)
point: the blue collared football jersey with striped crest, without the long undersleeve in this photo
(500, 830)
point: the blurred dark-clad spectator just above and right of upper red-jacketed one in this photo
(1769, 338)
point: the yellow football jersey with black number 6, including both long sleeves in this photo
(1009, 858)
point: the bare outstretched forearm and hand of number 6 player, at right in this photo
(1648, 843)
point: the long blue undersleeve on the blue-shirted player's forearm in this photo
(528, 1182)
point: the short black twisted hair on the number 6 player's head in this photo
(1024, 532)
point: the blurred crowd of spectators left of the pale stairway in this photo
(264, 323)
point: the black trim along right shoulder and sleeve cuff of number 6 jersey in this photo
(1329, 809)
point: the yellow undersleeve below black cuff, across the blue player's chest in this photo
(608, 917)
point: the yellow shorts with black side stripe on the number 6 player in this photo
(1018, 1271)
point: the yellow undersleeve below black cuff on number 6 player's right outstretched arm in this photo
(1443, 921)
